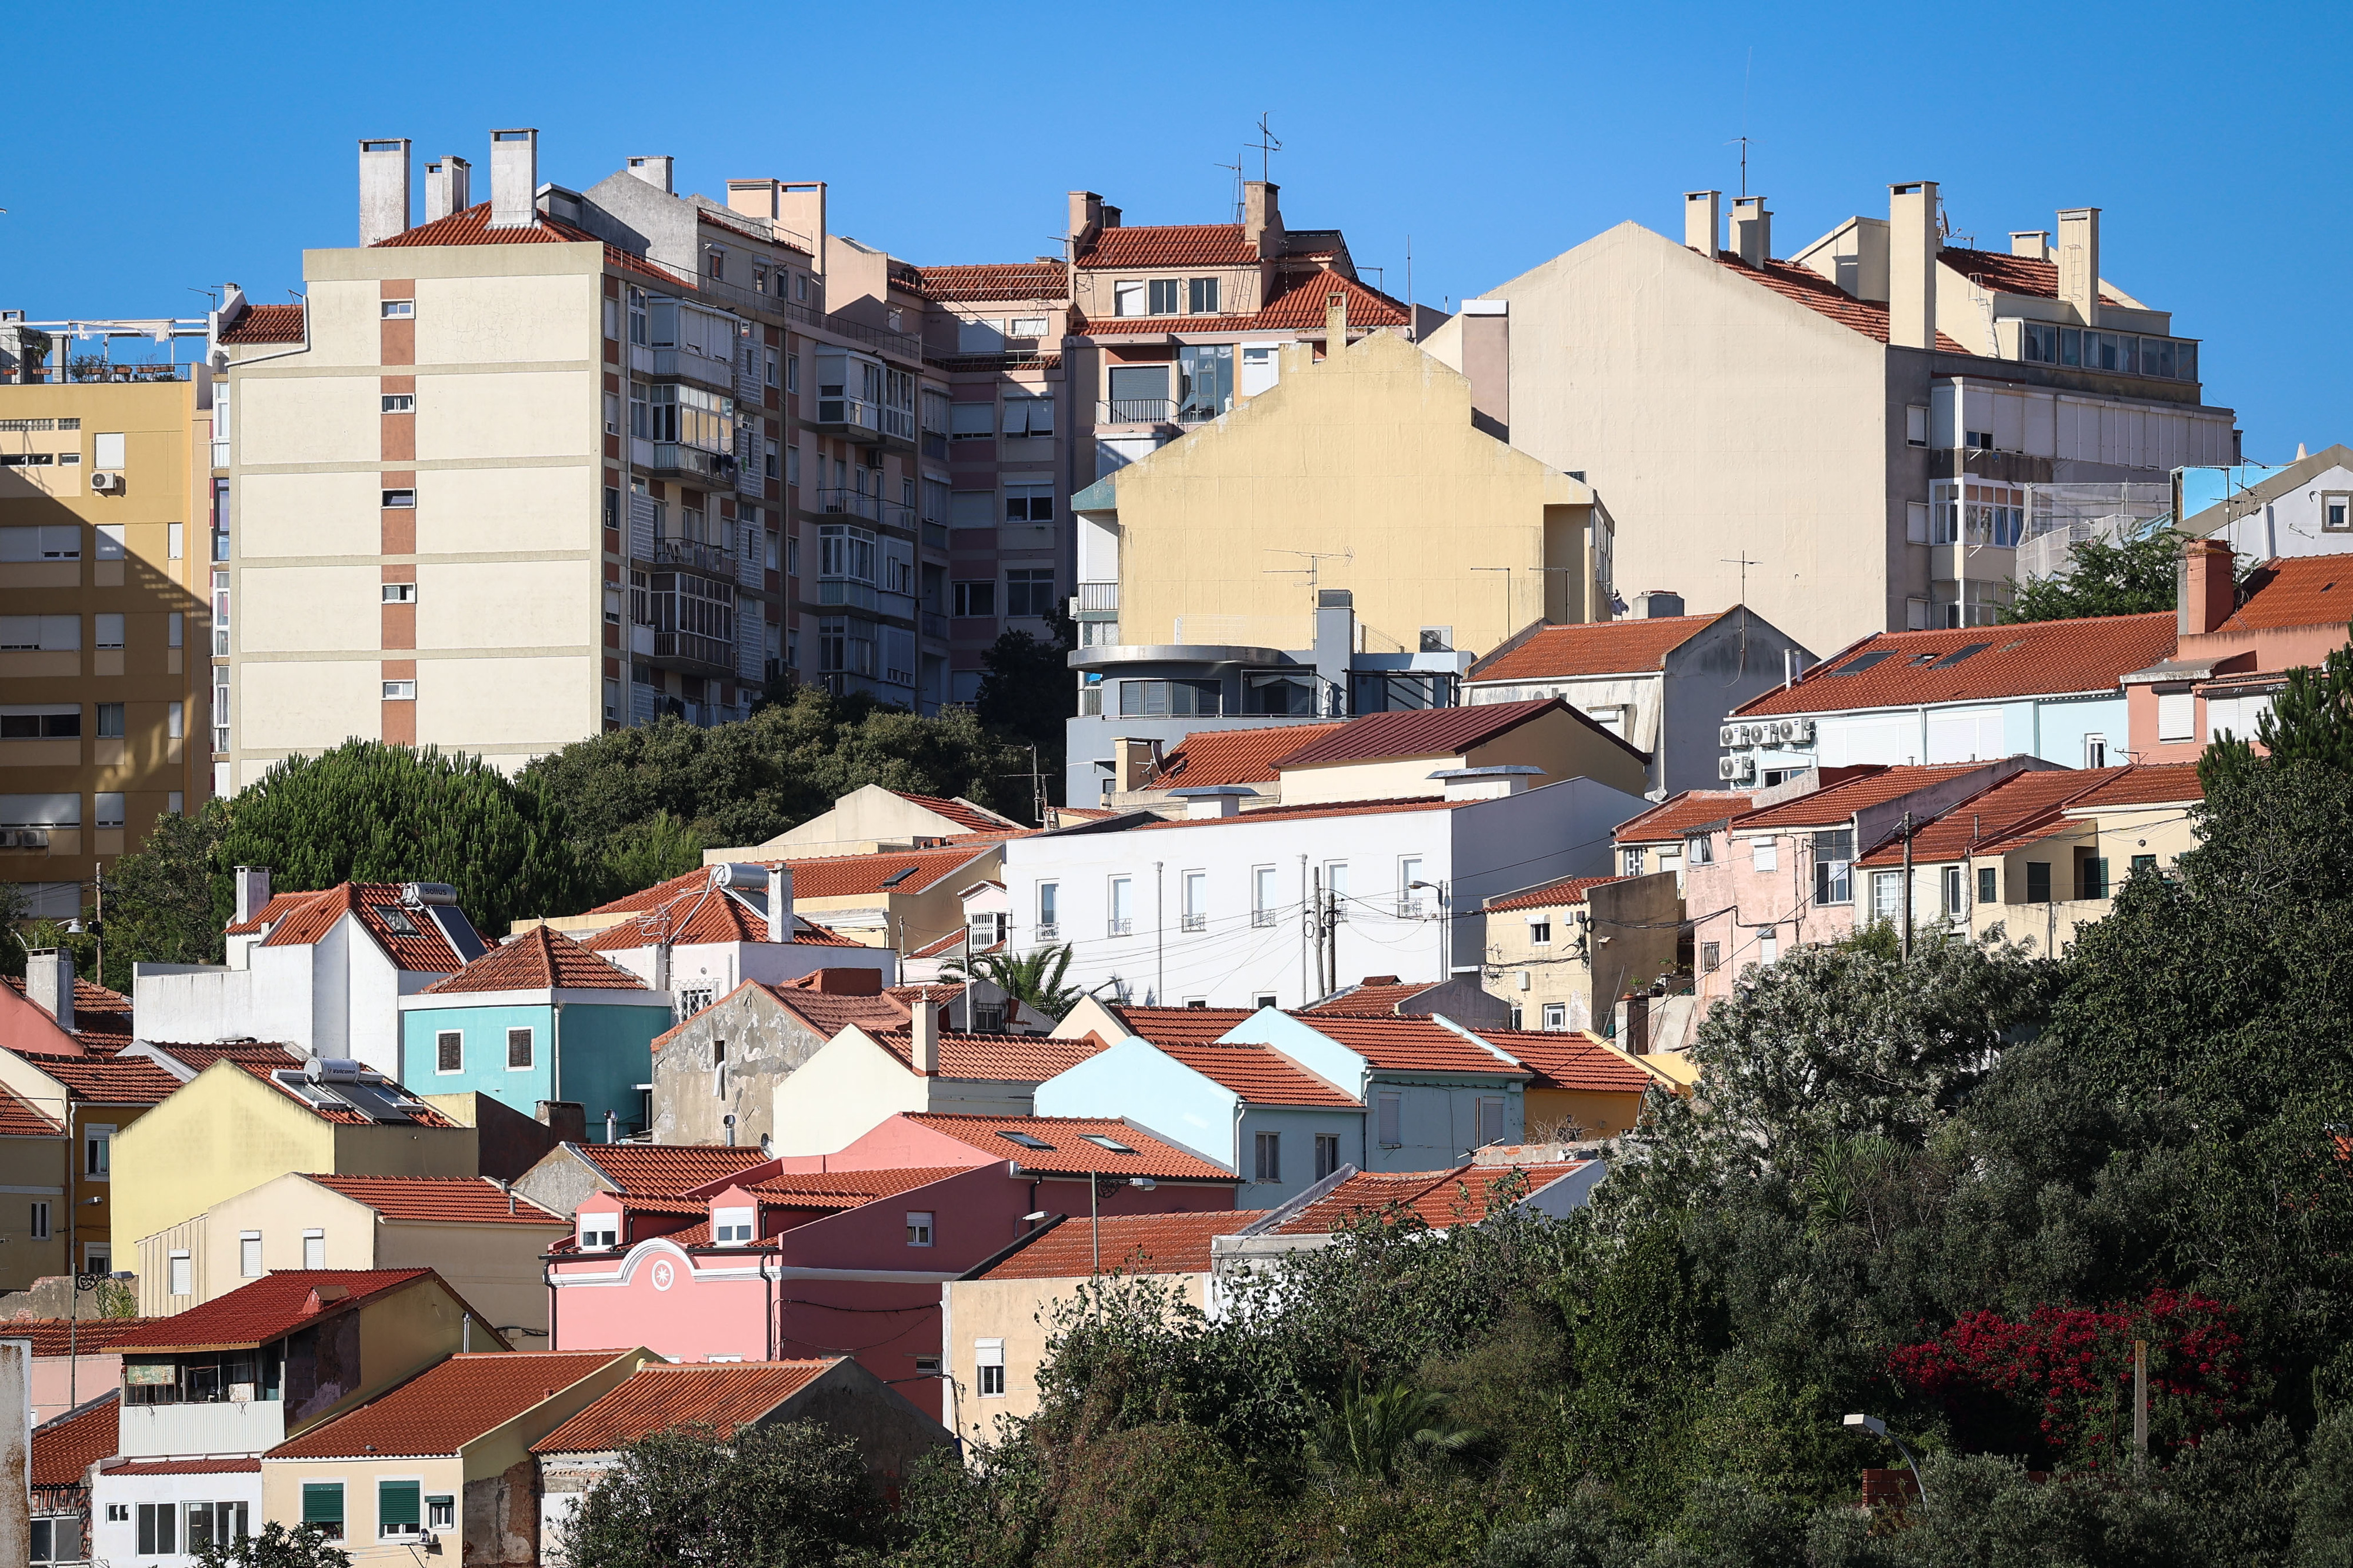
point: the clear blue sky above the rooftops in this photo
(159, 150)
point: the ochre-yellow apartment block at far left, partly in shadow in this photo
(102, 597)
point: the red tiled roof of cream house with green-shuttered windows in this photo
(448, 1407)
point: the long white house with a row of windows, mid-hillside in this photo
(1213, 908)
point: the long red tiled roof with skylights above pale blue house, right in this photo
(2034, 660)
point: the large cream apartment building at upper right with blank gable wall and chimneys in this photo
(1848, 439)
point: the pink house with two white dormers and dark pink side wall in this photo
(846, 1254)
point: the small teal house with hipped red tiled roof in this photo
(540, 1018)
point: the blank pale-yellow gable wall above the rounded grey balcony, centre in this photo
(1371, 453)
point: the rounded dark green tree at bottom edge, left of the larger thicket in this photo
(787, 1496)
